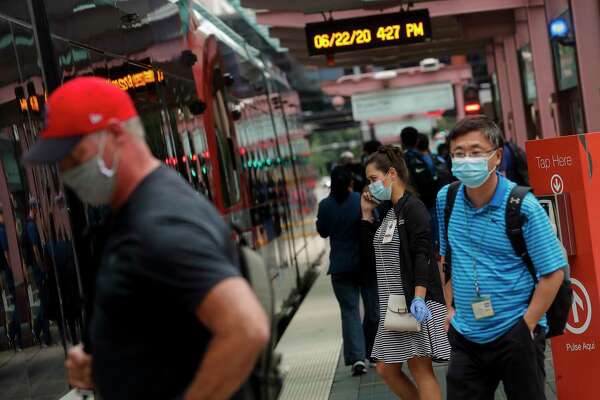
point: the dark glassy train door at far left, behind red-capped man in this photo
(39, 276)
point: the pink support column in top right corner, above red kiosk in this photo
(586, 22)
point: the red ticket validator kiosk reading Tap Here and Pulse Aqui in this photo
(565, 175)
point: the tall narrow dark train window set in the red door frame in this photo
(226, 148)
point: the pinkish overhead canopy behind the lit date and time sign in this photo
(458, 26)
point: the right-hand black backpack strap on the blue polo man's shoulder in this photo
(514, 226)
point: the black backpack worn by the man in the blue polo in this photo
(558, 313)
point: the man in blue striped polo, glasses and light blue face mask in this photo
(497, 328)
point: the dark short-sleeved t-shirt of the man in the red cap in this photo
(168, 247)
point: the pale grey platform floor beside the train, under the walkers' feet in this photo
(311, 350)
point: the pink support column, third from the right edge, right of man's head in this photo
(516, 91)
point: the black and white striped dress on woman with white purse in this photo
(397, 347)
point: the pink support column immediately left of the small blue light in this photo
(543, 70)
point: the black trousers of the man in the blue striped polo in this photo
(516, 359)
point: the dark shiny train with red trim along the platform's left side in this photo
(215, 109)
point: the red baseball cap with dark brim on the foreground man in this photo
(80, 107)
